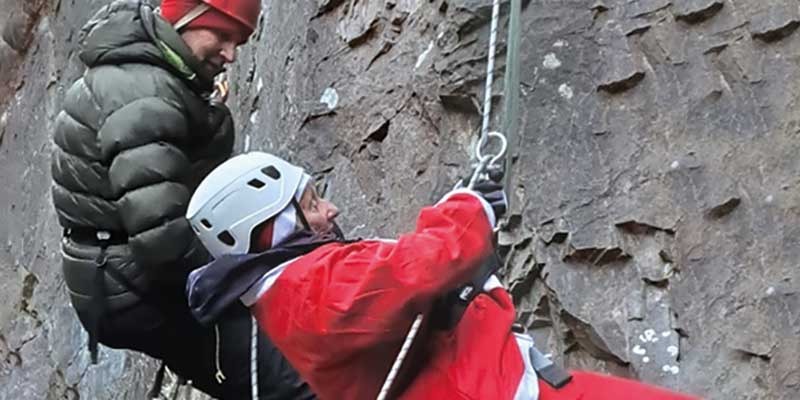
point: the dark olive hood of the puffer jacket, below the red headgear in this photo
(130, 31)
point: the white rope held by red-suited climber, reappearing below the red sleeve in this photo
(487, 109)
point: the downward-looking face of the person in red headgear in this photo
(213, 48)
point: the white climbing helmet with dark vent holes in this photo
(237, 196)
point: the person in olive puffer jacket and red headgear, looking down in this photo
(138, 132)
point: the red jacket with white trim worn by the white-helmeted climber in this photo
(340, 313)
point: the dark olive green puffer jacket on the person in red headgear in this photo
(136, 136)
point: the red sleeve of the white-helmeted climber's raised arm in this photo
(329, 306)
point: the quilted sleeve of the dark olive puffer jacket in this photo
(147, 173)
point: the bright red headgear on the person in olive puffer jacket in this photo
(174, 10)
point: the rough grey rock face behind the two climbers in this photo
(655, 226)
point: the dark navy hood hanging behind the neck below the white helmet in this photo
(213, 288)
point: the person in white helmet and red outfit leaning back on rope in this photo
(340, 310)
